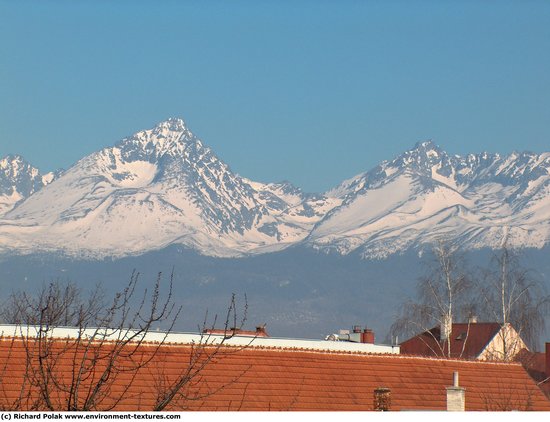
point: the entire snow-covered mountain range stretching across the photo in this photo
(163, 186)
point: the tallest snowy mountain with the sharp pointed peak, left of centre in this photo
(155, 188)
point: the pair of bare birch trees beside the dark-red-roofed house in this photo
(451, 290)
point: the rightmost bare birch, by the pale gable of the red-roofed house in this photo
(512, 296)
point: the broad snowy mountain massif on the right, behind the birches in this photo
(425, 194)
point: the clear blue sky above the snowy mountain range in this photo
(308, 91)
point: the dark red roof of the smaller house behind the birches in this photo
(466, 341)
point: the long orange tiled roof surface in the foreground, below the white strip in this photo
(282, 379)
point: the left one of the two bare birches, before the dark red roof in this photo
(442, 295)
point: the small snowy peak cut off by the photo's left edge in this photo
(19, 180)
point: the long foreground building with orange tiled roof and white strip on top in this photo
(247, 373)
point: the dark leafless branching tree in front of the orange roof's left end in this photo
(85, 371)
